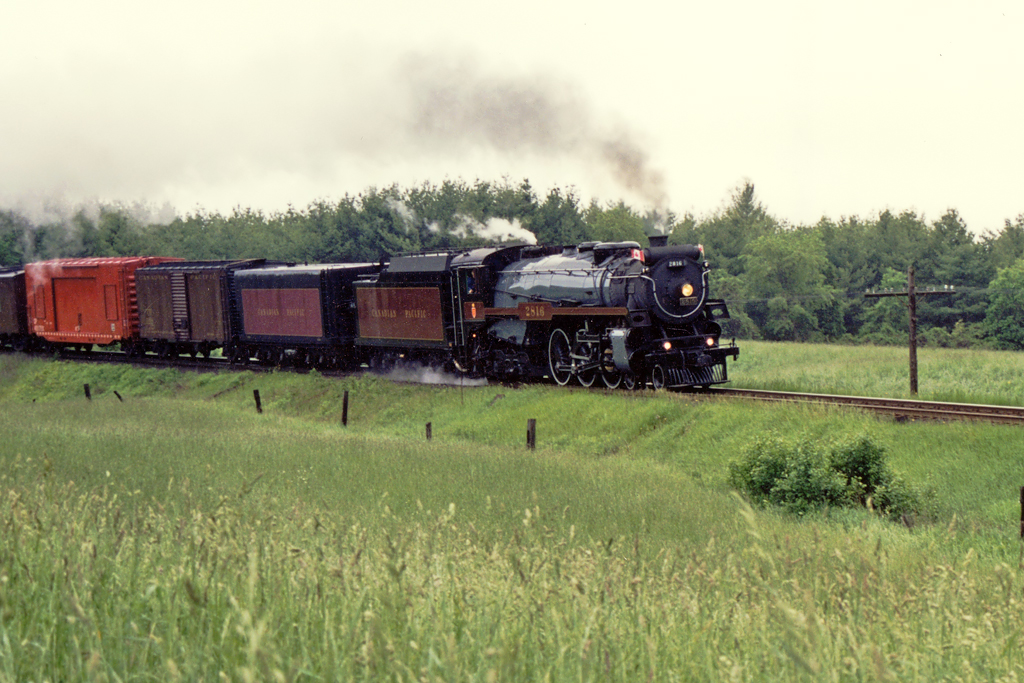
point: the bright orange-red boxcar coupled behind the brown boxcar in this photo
(86, 302)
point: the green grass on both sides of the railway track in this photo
(181, 536)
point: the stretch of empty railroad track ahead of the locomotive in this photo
(900, 409)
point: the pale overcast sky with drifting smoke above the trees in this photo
(830, 109)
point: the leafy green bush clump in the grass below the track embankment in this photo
(809, 475)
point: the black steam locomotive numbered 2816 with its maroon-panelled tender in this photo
(609, 312)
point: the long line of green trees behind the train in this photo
(783, 282)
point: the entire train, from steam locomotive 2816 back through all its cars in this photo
(612, 313)
